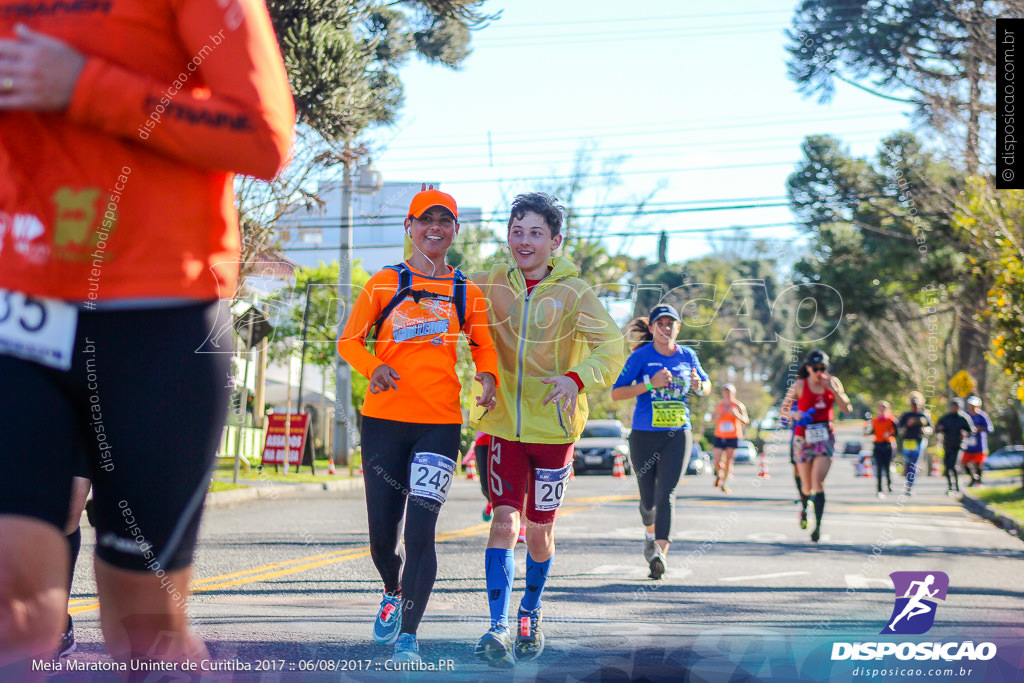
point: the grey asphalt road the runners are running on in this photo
(290, 581)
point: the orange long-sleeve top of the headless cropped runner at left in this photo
(127, 194)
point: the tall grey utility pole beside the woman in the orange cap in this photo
(369, 183)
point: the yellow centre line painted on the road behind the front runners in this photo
(286, 568)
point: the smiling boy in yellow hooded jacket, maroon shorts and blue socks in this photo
(556, 343)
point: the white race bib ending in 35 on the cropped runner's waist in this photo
(38, 330)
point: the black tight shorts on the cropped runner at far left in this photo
(145, 404)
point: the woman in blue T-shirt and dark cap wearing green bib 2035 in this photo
(660, 374)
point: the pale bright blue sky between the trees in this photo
(694, 96)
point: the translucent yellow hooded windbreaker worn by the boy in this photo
(562, 327)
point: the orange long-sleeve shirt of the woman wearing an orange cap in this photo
(418, 340)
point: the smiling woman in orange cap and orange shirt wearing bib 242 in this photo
(412, 416)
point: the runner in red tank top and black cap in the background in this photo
(815, 443)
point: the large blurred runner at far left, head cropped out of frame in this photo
(122, 124)
